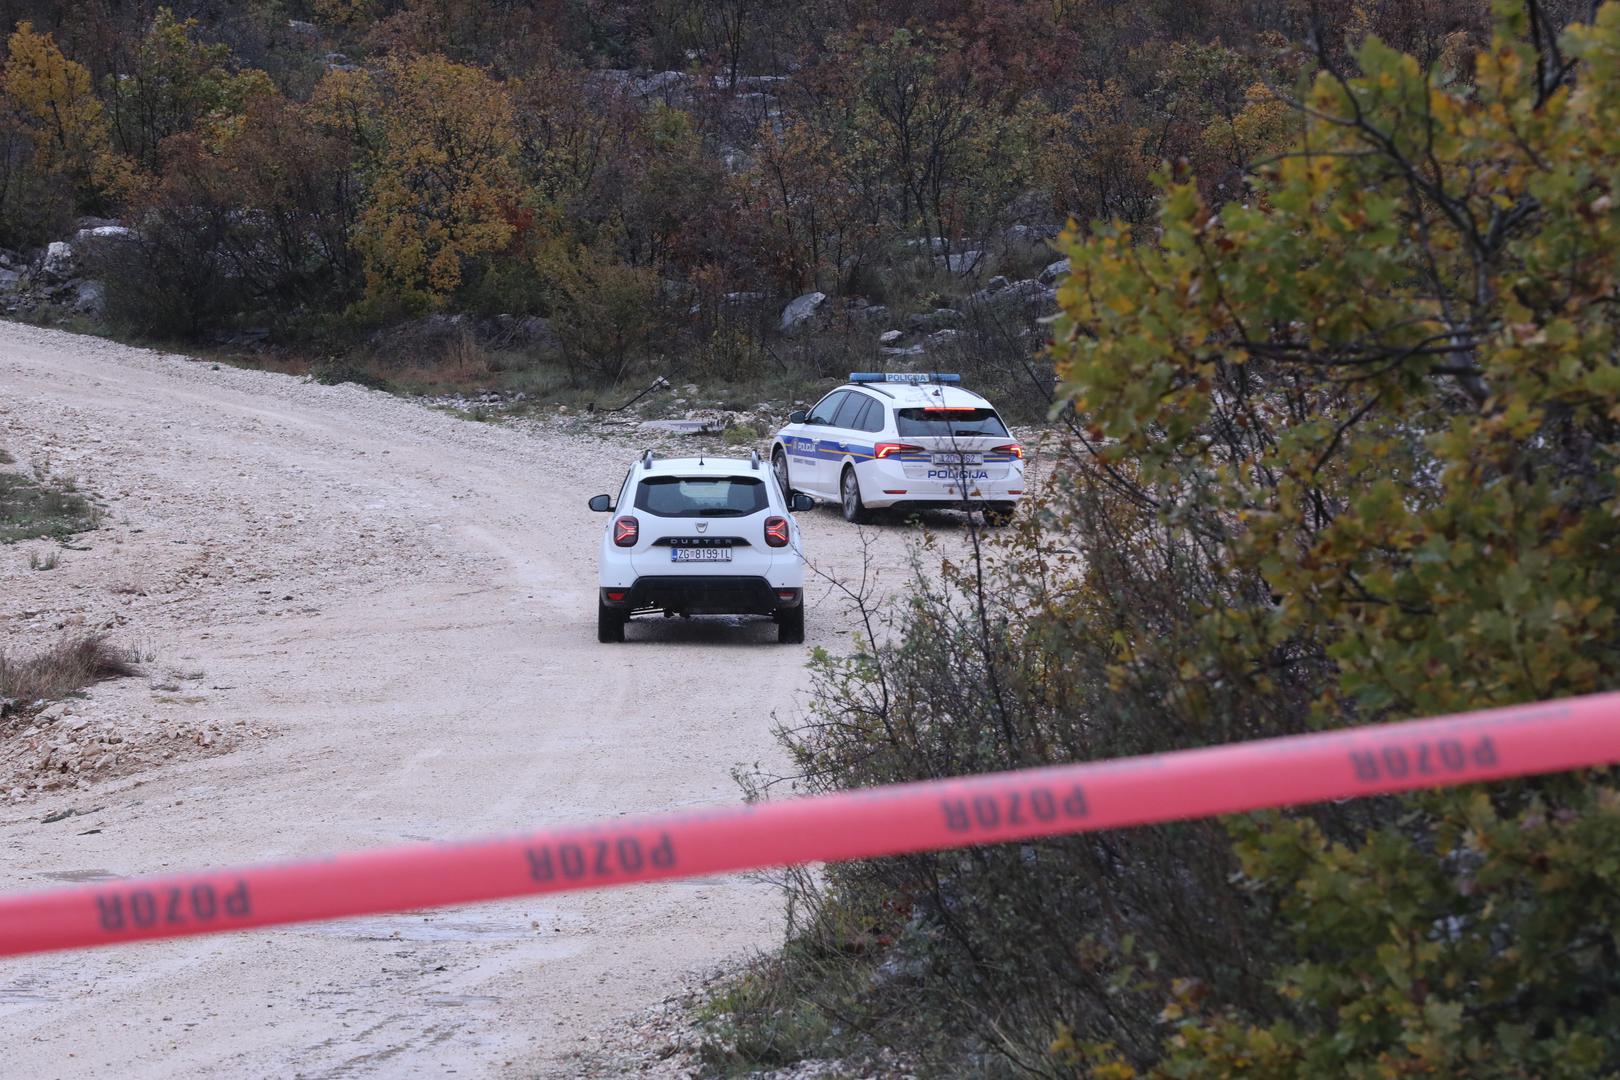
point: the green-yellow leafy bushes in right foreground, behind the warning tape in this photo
(1339, 456)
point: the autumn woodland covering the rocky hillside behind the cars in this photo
(599, 192)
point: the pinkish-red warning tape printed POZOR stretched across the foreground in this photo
(923, 817)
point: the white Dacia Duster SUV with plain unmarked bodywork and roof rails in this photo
(701, 537)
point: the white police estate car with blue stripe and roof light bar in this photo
(914, 441)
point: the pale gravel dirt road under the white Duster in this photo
(369, 623)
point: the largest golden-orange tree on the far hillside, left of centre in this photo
(443, 182)
